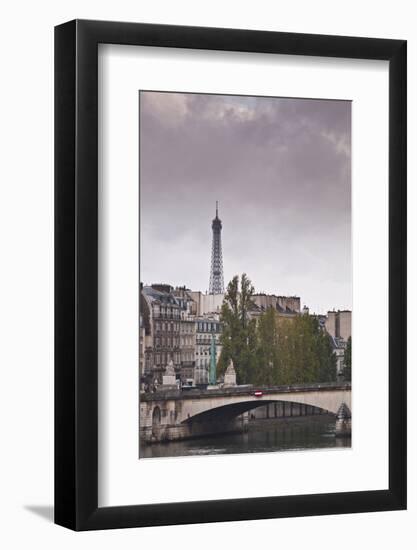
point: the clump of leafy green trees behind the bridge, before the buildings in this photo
(272, 350)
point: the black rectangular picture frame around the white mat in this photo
(76, 273)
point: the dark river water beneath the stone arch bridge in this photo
(289, 434)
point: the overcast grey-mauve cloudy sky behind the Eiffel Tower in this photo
(281, 171)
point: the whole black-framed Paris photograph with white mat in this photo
(230, 285)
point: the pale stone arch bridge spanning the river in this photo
(173, 414)
